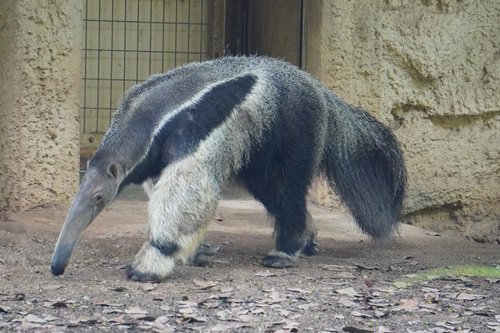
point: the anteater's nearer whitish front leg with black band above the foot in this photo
(182, 203)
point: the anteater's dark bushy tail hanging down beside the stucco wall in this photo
(365, 166)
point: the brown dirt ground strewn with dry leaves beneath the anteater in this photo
(352, 285)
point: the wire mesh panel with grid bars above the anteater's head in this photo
(125, 41)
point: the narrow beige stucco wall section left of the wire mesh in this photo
(39, 97)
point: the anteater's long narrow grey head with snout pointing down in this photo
(98, 188)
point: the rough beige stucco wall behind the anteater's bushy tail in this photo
(429, 69)
